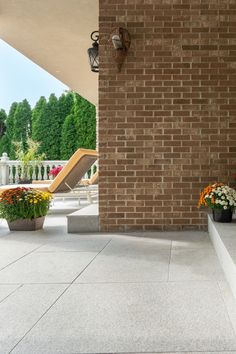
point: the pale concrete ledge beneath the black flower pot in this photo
(223, 237)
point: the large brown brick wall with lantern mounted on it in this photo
(167, 122)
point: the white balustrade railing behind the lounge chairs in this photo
(11, 171)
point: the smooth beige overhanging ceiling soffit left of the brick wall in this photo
(55, 34)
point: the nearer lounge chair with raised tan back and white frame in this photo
(66, 181)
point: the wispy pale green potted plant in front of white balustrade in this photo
(26, 157)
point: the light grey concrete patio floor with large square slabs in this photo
(103, 293)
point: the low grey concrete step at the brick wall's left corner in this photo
(84, 220)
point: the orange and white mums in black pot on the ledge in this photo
(221, 199)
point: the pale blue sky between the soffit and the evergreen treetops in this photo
(20, 78)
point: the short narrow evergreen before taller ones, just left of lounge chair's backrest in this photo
(69, 142)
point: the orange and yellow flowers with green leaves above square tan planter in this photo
(23, 203)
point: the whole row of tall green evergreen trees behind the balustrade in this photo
(50, 123)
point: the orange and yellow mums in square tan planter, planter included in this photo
(24, 208)
